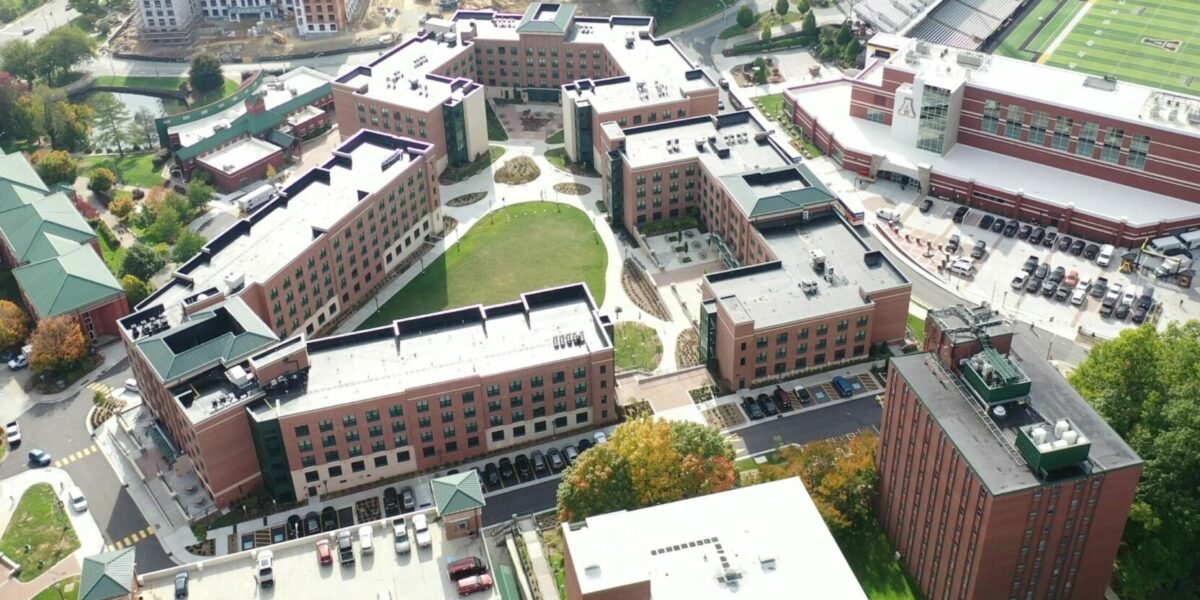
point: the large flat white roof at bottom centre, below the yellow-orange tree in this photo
(717, 547)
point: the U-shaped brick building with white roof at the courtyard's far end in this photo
(434, 87)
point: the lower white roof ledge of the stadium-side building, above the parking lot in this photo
(830, 104)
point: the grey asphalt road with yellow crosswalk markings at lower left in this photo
(61, 430)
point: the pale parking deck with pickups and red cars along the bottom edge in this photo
(422, 573)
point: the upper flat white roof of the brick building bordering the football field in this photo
(1053, 86)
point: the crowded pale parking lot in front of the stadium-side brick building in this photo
(1010, 249)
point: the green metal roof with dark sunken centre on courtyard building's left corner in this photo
(221, 334)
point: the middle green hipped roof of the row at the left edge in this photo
(31, 226)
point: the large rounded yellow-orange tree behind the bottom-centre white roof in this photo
(646, 464)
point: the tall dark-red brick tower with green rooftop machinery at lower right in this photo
(997, 479)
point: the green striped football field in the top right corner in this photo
(1114, 39)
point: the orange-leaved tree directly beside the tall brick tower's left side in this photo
(839, 476)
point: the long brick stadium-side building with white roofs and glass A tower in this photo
(1027, 141)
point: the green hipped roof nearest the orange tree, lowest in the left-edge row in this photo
(67, 284)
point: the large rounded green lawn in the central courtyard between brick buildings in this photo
(519, 249)
